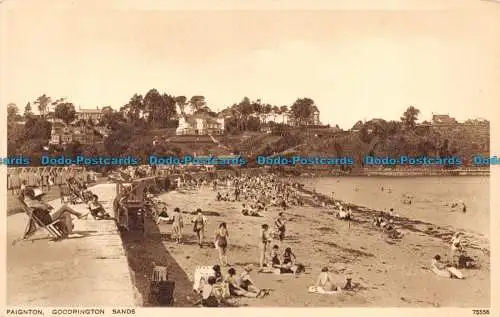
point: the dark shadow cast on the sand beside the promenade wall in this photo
(144, 251)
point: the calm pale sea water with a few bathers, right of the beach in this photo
(431, 194)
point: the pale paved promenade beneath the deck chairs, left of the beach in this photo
(89, 268)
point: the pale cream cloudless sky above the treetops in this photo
(357, 60)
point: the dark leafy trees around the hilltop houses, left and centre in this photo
(129, 126)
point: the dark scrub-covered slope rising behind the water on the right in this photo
(461, 140)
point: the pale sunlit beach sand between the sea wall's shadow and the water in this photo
(387, 273)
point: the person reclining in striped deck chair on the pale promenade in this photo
(45, 213)
